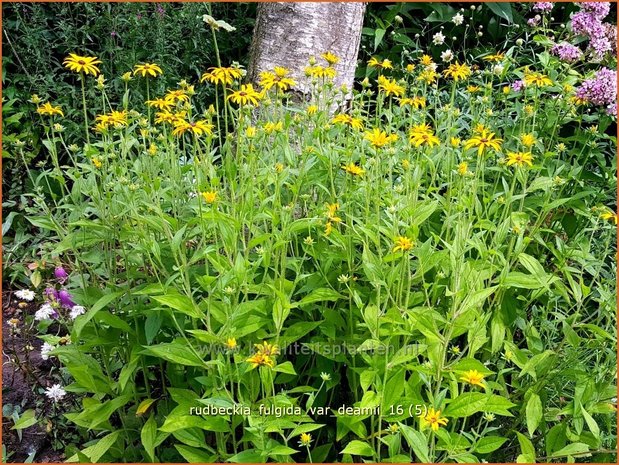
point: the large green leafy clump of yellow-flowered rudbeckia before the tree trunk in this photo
(426, 276)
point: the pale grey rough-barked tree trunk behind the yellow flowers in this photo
(288, 34)
